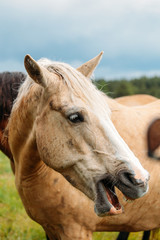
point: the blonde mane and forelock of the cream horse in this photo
(77, 83)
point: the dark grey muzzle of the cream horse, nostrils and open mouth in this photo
(107, 202)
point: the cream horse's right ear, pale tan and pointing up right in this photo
(88, 68)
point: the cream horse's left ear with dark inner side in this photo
(34, 70)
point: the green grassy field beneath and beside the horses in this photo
(14, 222)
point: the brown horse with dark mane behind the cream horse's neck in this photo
(9, 85)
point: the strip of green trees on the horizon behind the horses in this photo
(123, 87)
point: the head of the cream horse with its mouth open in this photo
(76, 137)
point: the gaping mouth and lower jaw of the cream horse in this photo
(107, 202)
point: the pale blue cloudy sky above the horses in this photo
(73, 31)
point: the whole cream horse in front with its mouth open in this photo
(63, 122)
